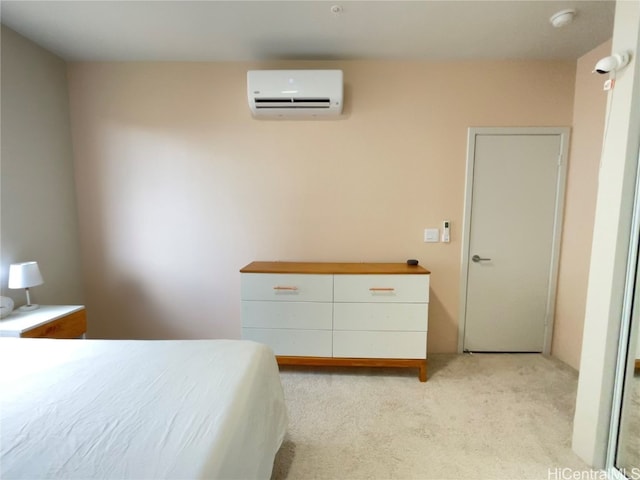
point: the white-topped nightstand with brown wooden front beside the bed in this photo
(48, 321)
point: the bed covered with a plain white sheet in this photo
(127, 409)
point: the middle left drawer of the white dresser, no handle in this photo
(300, 315)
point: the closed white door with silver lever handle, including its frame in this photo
(512, 219)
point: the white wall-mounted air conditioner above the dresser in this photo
(294, 93)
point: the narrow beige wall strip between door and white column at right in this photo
(589, 108)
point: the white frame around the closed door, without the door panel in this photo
(473, 133)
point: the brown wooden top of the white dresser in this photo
(334, 268)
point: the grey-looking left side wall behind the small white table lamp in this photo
(39, 218)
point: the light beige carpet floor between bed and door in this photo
(481, 416)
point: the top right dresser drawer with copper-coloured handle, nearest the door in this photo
(381, 288)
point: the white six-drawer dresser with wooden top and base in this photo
(338, 314)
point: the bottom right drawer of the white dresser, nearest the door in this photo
(379, 344)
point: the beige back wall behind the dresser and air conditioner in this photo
(178, 187)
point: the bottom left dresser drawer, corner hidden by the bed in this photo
(313, 343)
